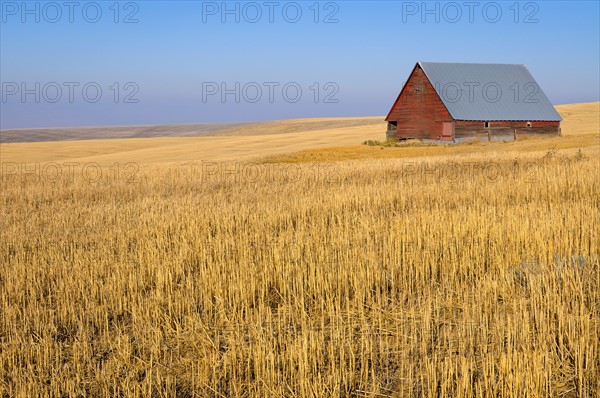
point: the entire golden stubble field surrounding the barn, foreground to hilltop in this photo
(302, 264)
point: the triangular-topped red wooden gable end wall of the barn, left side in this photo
(418, 111)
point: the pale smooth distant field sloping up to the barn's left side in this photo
(248, 142)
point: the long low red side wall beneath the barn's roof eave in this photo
(469, 128)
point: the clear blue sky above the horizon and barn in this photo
(151, 62)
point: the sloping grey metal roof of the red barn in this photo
(489, 91)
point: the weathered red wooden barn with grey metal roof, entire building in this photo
(453, 101)
